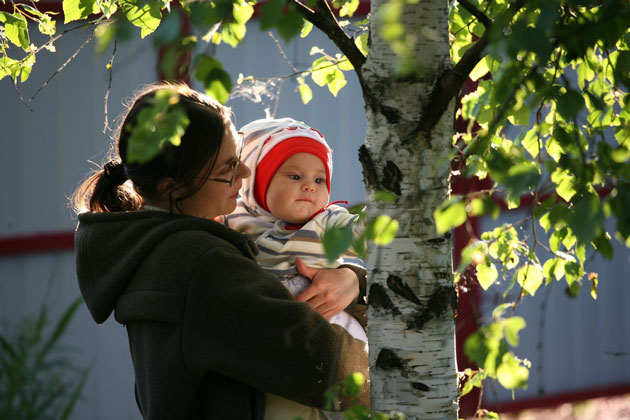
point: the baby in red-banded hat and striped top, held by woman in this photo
(284, 206)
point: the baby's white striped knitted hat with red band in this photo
(280, 139)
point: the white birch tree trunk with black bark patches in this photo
(411, 295)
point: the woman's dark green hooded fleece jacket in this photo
(208, 328)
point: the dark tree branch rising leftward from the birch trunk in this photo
(324, 19)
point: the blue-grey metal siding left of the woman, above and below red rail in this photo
(44, 155)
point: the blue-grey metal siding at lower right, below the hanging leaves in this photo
(577, 336)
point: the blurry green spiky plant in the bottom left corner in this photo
(38, 380)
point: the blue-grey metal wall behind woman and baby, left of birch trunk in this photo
(46, 153)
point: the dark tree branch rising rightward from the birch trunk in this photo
(450, 82)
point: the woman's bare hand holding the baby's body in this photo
(332, 290)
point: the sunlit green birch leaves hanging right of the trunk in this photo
(547, 122)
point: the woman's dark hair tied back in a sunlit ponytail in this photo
(109, 190)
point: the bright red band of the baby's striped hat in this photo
(279, 154)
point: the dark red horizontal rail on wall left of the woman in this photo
(39, 242)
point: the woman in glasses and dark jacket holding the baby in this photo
(209, 330)
